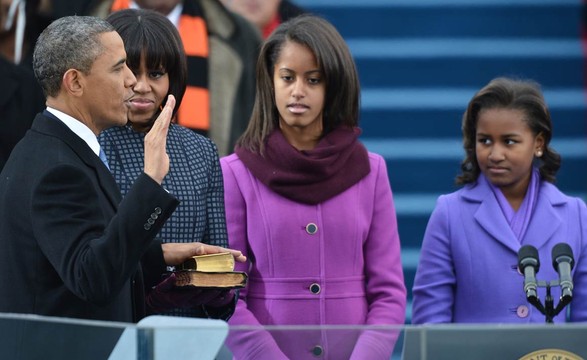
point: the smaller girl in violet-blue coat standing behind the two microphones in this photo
(468, 269)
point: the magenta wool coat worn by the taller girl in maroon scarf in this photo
(337, 262)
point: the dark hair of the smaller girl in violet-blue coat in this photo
(515, 94)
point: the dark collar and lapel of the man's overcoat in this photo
(48, 124)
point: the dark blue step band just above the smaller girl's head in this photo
(468, 72)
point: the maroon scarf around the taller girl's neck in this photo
(337, 162)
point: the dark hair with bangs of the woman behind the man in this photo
(150, 34)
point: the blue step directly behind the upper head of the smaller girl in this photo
(437, 112)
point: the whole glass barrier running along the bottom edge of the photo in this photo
(161, 337)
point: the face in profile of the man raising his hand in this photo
(108, 86)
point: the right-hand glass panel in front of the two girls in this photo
(432, 342)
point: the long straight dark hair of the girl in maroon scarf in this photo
(341, 100)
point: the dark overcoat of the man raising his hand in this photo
(69, 246)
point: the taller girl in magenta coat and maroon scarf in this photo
(311, 208)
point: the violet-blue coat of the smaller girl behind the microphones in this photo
(468, 262)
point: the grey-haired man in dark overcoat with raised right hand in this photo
(69, 245)
